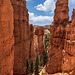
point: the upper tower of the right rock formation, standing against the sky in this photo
(61, 13)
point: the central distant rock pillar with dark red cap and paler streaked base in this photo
(39, 43)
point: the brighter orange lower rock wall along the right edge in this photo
(69, 48)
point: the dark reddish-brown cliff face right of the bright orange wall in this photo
(21, 36)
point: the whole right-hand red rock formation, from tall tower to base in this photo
(62, 40)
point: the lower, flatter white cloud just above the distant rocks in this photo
(39, 20)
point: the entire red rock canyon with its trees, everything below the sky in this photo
(28, 49)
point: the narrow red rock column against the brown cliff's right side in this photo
(31, 39)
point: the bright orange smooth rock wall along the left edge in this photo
(6, 38)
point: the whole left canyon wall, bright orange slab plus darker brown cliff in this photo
(16, 37)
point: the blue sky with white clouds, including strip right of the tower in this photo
(41, 12)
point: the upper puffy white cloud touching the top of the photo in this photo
(48, 5)
